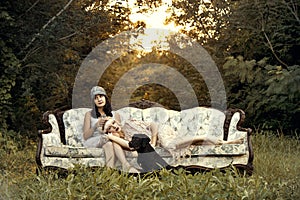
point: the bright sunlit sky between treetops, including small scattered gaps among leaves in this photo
(153, 23)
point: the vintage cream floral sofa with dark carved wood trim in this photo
(60, 145)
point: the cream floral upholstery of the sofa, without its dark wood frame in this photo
(204, 121)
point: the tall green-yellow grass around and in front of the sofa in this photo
(276, 176)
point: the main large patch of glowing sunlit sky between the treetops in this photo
(157, 24)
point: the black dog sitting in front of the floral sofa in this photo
(148, 158)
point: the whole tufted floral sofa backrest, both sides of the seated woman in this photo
(195, 121)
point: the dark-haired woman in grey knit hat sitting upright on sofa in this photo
(94, 137)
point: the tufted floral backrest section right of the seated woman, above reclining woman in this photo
(194, 121)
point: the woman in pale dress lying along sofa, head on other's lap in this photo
(177, 146)
